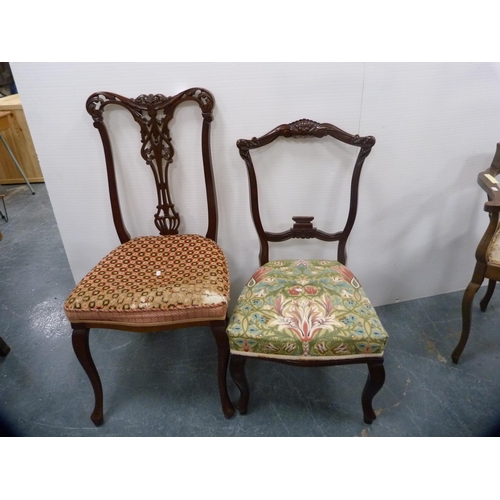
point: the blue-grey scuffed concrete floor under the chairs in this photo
(164, 384)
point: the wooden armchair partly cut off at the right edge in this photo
(487, 253)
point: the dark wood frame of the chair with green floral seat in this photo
(304, 229)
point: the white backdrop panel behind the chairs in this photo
(420, 215)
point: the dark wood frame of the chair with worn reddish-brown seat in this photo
(153, 114)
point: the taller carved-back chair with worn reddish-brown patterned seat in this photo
(162, 282)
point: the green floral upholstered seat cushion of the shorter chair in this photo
(308, 309)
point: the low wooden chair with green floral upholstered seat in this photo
(306, 312)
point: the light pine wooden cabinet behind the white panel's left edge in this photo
(19, 139)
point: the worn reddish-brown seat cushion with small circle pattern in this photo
(154, 281)
